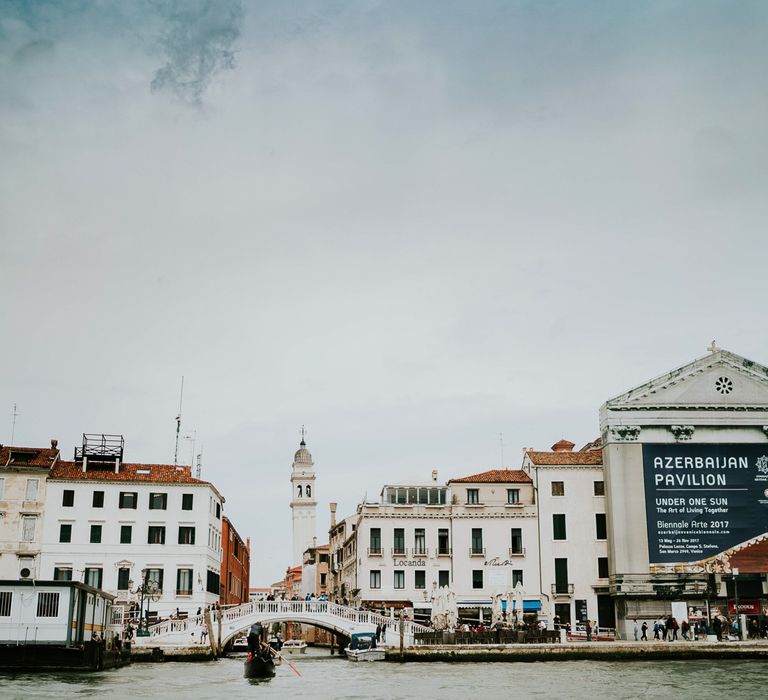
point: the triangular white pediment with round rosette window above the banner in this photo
(718, 381)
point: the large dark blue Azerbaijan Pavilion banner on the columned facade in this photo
(705, 504)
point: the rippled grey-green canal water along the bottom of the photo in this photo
(325, 677)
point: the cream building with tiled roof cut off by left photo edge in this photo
(23, 475)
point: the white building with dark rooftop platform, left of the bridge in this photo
(115, 526)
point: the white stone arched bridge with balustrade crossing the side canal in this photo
(236, 621)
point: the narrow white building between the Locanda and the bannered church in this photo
(572, 533)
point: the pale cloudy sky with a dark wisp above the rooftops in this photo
(410, 226)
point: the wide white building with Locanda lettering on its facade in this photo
(476, 534)
